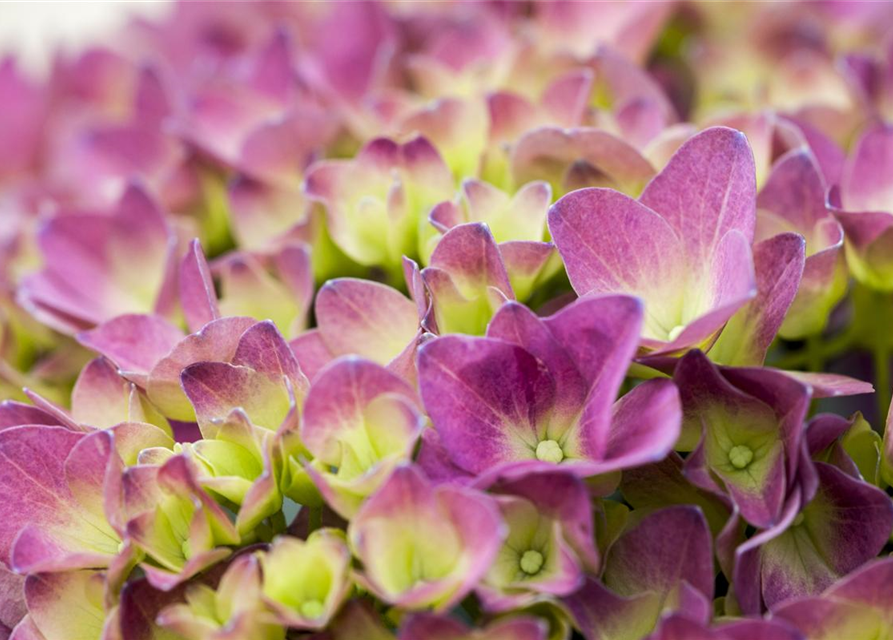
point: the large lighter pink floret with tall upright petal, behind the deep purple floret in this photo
(706, 257)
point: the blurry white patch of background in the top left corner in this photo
(33, 30)
